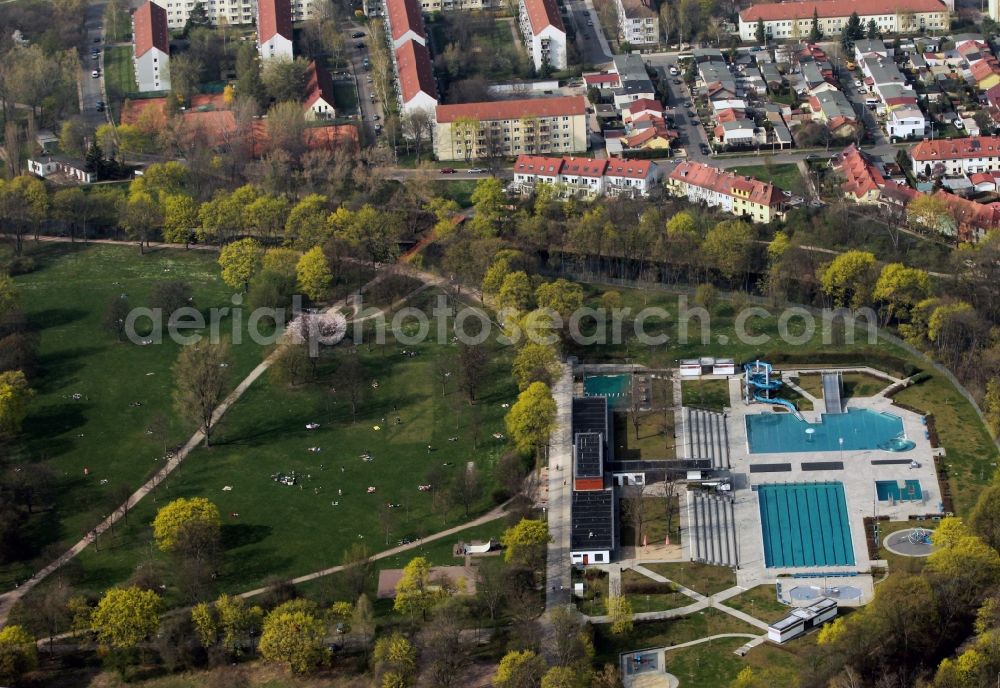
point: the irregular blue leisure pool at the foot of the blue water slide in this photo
(780, 433)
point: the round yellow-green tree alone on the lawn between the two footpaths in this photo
(189, 527)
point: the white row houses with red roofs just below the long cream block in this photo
(586, 177)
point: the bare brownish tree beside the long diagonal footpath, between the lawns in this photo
(201, 380)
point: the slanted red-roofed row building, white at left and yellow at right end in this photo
(745, 196)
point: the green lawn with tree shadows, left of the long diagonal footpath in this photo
(123, 387)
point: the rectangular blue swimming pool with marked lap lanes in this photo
(805, 524)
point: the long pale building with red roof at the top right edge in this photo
(786, 20)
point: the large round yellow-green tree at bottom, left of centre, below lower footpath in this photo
(292, 635)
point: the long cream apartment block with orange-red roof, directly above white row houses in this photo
(511, 127)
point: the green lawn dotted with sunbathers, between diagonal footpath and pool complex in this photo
(292, 530)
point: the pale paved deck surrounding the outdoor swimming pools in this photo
(859, 485)
